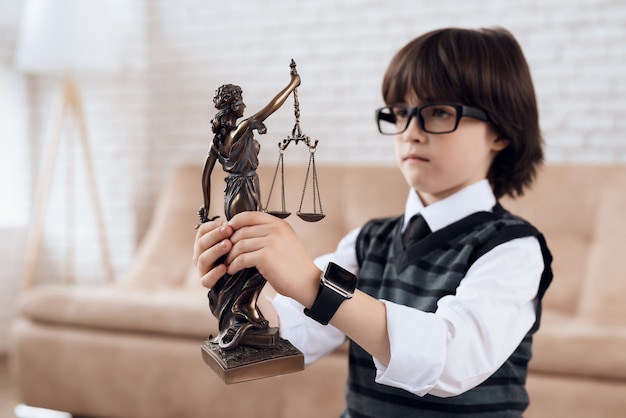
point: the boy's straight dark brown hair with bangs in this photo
(483, 68)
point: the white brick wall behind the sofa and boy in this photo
(157, 113)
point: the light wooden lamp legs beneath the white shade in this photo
(70, 102)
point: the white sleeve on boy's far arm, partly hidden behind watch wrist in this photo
(313, 339)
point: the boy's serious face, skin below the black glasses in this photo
(438, 165)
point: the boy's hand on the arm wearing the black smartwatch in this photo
(270, 244)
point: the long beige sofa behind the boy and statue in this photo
(133, 349)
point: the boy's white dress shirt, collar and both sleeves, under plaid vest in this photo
(472, 332)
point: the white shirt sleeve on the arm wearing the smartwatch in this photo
(473, 332)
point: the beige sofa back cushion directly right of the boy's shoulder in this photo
(563, 204)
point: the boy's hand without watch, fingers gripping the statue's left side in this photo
(211, 244)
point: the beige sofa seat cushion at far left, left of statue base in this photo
(170, 311)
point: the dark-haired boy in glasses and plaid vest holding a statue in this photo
(441, 322)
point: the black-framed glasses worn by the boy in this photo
(434, 118)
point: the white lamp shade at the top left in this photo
(68, 36)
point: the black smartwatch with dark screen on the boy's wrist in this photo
(336, 285)
